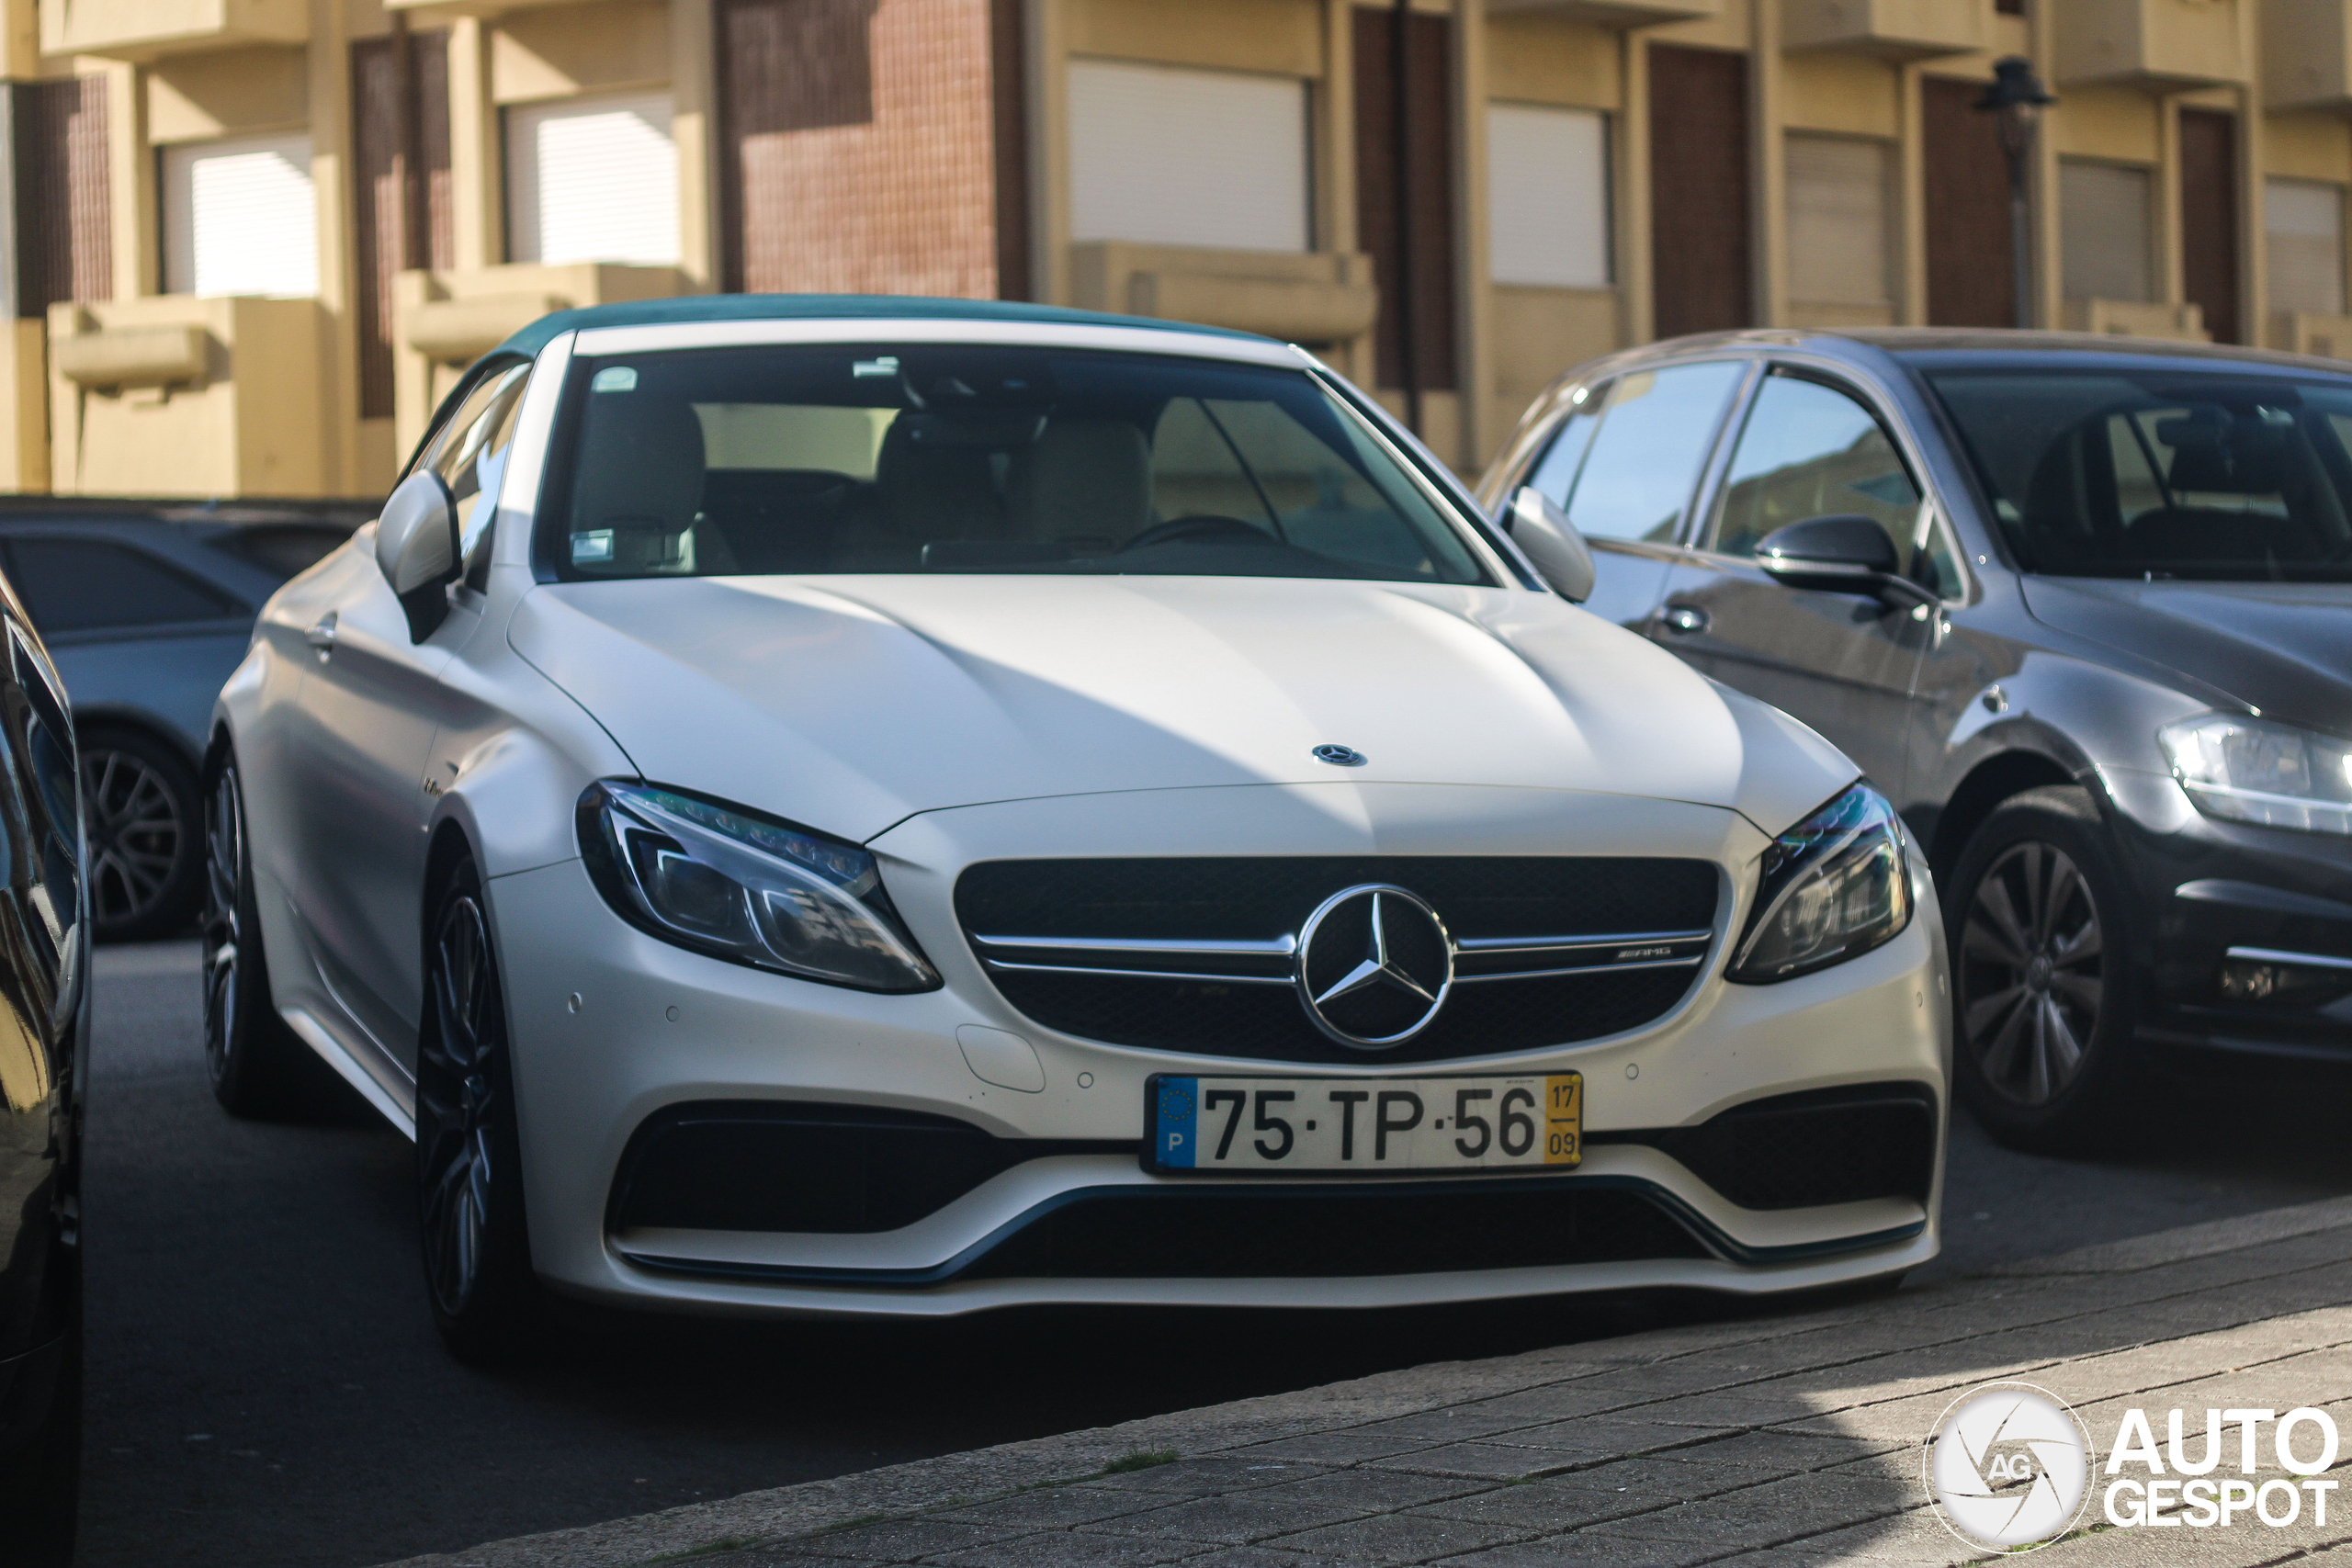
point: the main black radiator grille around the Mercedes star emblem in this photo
(1264, 899)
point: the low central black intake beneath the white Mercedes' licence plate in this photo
(1262, 1233)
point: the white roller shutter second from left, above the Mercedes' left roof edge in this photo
(592, 180)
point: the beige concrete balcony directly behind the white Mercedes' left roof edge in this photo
(448, 321)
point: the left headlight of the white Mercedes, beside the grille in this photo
(747, 890)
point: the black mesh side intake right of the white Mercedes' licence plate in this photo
(1803, 1151)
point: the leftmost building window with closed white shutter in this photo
(239, 217)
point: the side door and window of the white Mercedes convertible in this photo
(359, 742)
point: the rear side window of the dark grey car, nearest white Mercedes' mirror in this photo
(1645, 455)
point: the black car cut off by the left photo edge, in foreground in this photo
(44, 1031)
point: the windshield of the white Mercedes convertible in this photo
(918, 457)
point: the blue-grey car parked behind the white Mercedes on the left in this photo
(147, 612)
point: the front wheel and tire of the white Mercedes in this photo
(469, 1155)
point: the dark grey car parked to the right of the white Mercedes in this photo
(2080, 605)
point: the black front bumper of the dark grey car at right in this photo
(2231, 902)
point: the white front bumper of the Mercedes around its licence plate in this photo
(615, 1028)
